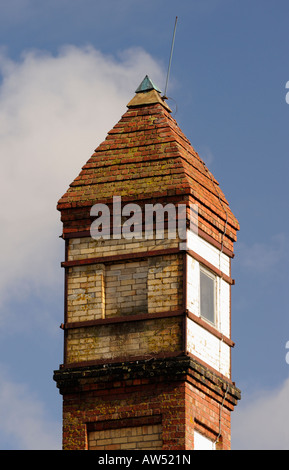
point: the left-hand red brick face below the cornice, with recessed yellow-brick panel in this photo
(134, 400)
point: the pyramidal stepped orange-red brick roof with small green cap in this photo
(145, 157)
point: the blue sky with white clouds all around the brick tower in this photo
(67, 71)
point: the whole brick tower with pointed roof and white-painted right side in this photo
(147, 347)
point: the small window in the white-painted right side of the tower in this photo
(207, 295)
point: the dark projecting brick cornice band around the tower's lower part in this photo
(142, 372)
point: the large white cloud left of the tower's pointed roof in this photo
(54, 111)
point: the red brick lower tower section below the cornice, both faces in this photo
(146, 410)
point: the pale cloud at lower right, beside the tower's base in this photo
(261, 422)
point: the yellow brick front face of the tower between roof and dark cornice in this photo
(120, 288)
